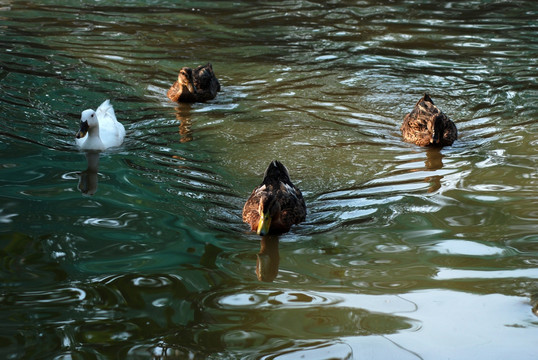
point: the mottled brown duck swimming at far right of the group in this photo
(427, 125)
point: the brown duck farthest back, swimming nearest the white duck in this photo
(199, 84)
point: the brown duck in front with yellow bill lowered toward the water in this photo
(275, 205)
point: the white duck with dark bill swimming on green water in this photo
(99, 129)
